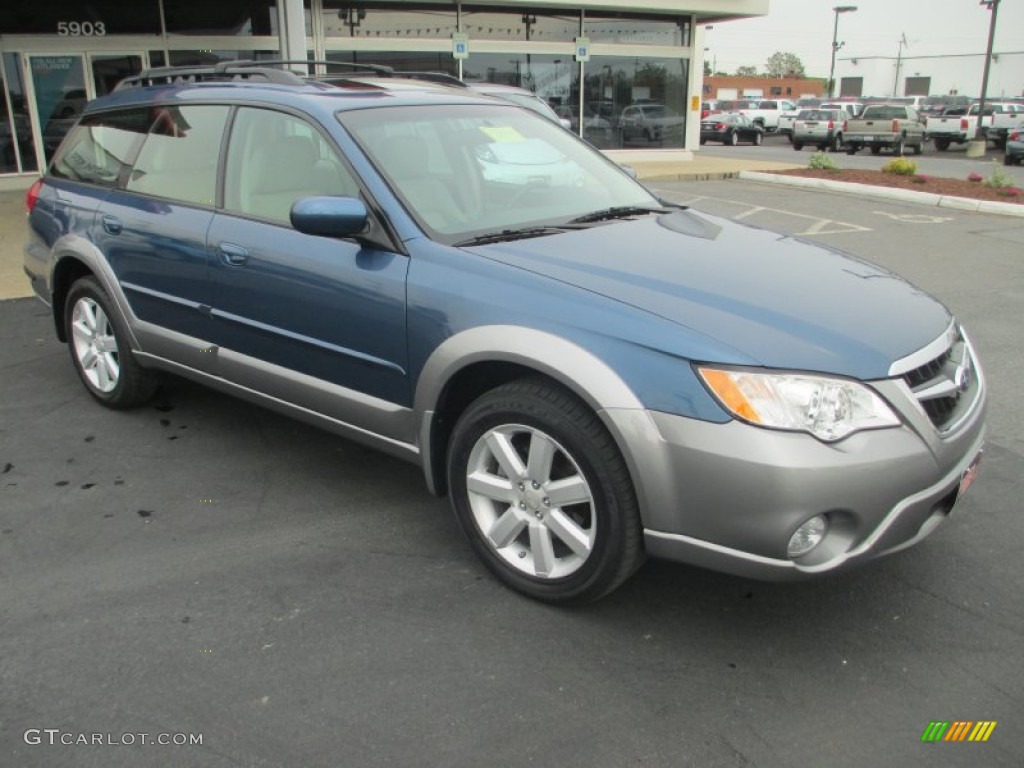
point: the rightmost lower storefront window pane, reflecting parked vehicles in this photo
(643, 101)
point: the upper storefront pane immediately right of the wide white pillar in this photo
(344, 19)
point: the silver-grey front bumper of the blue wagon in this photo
(730, 497)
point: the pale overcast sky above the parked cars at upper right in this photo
(805, 28)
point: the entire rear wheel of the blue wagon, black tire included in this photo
(99, 345)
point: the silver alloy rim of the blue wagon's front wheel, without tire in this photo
(531, 501)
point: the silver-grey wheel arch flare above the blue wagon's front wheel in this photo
(472, 363)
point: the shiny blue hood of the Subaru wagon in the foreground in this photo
(764, 298)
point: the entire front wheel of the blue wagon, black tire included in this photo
(606, 527)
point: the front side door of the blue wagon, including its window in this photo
(293, 315)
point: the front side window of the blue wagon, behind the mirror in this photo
(276, 159)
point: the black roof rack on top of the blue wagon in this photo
(273, 71)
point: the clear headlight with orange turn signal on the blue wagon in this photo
(829, 409)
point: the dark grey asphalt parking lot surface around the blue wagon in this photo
(204, 567)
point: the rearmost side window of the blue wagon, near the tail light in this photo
(101, 149)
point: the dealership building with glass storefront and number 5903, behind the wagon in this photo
(592, 60)
